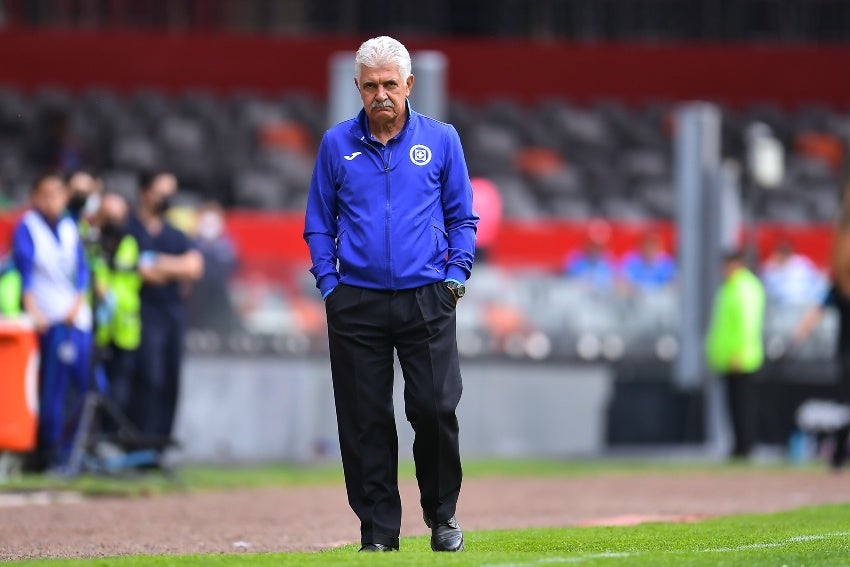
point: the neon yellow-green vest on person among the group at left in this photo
(122, 283)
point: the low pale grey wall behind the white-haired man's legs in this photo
(269, 409)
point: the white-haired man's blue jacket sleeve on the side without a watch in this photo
(320, 221)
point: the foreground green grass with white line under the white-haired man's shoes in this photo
(804, 537)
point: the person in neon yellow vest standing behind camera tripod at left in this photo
(116, 284)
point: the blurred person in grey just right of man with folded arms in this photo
(210, 306)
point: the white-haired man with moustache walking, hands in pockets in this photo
(391, 232)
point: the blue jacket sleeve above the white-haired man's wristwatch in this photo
(461, 220)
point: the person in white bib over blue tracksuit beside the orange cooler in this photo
(49, 255)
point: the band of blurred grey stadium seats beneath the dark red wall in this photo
(554, 159)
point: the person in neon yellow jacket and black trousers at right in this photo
(734, 347)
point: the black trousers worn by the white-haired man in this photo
(364, 328)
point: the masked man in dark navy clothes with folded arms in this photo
(167, 261)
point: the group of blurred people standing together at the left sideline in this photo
(106, 285)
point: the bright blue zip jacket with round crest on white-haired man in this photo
(390, 217)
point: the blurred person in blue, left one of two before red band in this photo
(593, 265)
